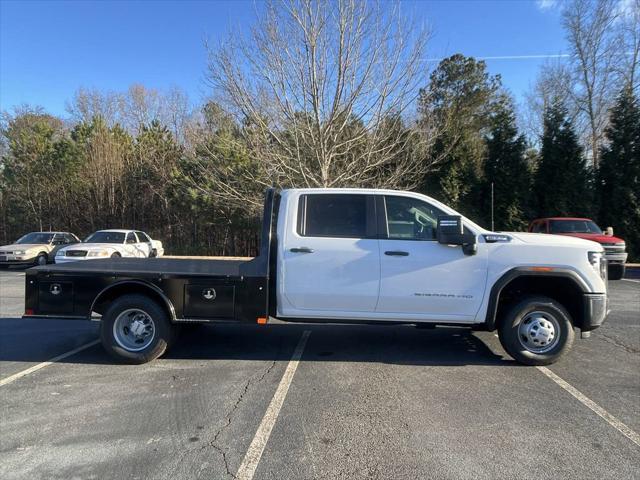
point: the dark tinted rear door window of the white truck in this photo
(334, 215)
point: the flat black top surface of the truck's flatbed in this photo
(122, 267)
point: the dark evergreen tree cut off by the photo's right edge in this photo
(618, 179)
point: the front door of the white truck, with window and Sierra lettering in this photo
(420, 278)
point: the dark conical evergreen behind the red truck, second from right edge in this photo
(562, 181)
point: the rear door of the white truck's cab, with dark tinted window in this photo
(329, 262)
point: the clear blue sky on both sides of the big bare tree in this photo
(50, 49)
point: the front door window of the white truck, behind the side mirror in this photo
(410, 218)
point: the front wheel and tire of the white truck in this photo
(541, 317)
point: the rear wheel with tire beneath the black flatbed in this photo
(135, 329)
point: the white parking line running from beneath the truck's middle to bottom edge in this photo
(252, 457)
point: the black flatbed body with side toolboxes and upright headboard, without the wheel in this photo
(200, 289)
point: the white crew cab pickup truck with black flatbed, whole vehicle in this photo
(346, 255)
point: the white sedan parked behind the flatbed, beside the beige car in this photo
(111, 244)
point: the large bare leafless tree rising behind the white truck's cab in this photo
(320, 88)
